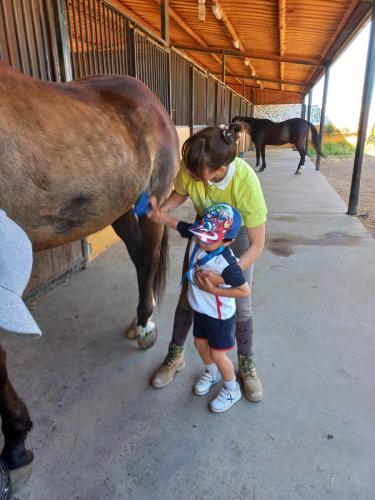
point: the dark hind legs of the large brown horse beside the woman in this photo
(143, 241)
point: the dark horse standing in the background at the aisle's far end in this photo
(265, 132)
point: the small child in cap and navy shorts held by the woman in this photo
(214, 306)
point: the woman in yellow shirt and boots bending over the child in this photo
(211, 173)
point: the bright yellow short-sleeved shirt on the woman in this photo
(242, 192)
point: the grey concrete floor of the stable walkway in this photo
(102, 432)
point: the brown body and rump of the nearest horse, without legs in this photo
(74, 157)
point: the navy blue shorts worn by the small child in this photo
(220, 333)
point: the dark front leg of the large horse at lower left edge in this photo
(16, 421)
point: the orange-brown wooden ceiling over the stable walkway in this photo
(285, 43)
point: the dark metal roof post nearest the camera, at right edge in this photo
(368, 85)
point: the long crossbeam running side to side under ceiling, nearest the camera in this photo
(252, 55)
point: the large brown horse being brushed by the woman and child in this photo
(73, 159)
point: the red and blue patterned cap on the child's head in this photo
(220, 221)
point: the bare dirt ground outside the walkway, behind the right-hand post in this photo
(338, 171)
